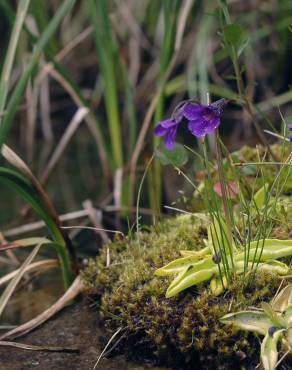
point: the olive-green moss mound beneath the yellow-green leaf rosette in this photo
(184, 331)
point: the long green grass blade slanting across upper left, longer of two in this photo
(36, 54)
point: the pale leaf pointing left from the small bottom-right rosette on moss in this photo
(254, 321)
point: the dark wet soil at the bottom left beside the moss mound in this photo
(76, 326)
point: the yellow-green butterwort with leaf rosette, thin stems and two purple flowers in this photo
(225, 256)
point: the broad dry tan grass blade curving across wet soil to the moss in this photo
(75, 289)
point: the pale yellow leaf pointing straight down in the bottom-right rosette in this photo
(269, 351)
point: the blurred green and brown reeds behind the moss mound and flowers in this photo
(83, 84)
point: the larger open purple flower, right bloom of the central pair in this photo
(203, 119)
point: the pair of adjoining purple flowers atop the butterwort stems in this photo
(202, 120)
